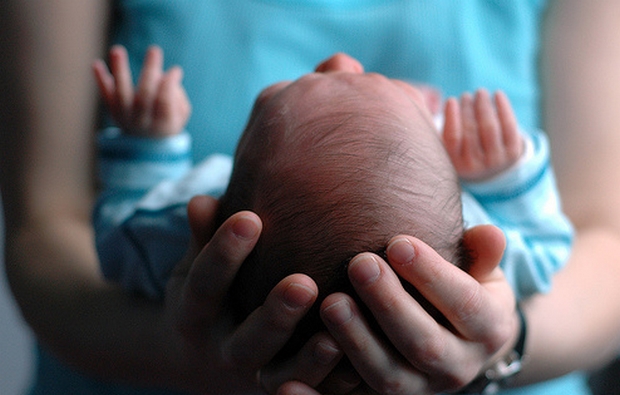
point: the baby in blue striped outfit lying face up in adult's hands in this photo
(334, 163)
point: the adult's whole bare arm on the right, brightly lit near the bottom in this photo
(577, 326)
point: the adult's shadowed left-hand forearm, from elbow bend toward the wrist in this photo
(83, 320)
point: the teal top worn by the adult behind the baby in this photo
(231, 49)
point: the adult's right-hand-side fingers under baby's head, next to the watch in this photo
(437, 358)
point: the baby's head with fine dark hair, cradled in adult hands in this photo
(336, 164)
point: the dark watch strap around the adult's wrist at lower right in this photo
(497, 376)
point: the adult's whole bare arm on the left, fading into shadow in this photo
(46, 179)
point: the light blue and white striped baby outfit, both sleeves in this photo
(142, 231)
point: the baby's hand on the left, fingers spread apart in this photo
(158, 107)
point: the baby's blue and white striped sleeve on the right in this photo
(524, 203)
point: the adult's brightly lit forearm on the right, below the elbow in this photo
(577, 325)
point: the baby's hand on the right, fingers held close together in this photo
(481, 137)
